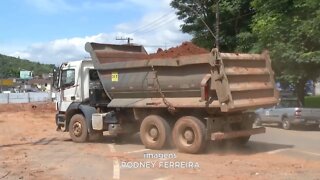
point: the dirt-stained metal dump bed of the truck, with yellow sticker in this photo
(184, 77)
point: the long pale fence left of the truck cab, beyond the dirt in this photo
(7, 98)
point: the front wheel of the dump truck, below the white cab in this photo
(78, 128)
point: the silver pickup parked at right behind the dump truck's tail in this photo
(287, 114)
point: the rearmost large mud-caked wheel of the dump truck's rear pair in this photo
(189, 135)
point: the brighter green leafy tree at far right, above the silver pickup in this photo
(290, 30)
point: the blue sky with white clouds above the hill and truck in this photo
(55, 31)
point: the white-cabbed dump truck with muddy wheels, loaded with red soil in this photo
(185, 100)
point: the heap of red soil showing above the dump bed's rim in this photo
(185, 49)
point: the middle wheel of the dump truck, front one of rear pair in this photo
(155, 132)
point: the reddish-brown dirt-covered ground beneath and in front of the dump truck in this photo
(30, 148)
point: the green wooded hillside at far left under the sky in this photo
(10, 67)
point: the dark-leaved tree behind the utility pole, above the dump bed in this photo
(235, 18)
